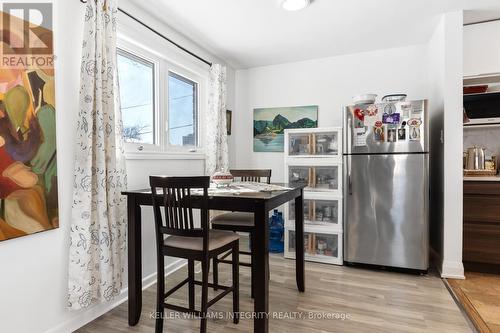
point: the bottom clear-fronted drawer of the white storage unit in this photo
(317, 246)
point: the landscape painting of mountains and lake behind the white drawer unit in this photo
(269, 125)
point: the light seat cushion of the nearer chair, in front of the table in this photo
(217, 239)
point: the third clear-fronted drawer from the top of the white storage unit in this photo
(319, 211)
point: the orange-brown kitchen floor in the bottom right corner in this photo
(479, 294)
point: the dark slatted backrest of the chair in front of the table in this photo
(175, 195)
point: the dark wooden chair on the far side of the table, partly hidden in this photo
(239, 222)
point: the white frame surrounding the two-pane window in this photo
(150, 51)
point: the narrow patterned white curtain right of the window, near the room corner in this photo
(216, 132)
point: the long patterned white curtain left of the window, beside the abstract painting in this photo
(98, 225)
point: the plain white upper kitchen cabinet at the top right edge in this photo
(482, 49)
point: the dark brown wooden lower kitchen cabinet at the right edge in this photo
(481, 238)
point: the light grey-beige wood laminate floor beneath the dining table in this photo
(369, 301)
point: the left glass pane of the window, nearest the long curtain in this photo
(136, 77)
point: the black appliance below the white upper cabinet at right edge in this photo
(482, 109)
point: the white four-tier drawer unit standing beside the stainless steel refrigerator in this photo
(314, 157)
